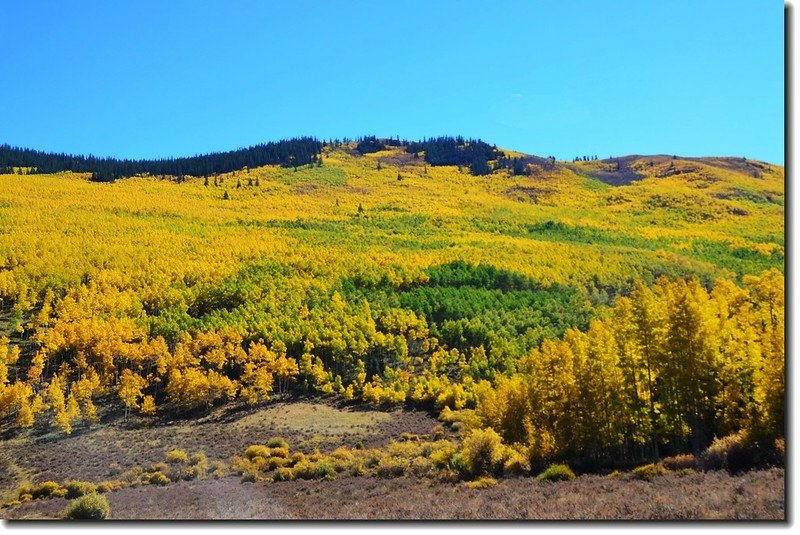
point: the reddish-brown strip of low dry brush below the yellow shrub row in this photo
(700, 495)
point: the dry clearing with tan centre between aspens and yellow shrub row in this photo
(104, 452)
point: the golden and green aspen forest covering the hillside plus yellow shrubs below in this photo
(598, 314)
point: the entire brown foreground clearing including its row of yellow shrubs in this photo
(361, 464)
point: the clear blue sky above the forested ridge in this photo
(548, 77)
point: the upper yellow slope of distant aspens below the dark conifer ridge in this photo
(562, 226)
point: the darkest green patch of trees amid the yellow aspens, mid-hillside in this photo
(469, 306)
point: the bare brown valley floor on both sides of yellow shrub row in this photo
(105, 450)
